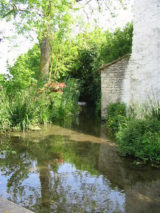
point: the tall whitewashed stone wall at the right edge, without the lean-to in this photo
(144, 65)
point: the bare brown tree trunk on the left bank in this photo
(44, 59)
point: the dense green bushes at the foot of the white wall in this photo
(138, 137)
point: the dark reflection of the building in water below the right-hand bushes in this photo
(141, 185)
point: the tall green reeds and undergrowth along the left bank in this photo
(27, 107)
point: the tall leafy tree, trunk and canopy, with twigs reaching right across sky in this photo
(50, 20)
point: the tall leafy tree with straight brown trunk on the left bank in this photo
(45, 17)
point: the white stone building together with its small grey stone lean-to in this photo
(140, 79)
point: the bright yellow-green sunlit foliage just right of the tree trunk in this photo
(67, 53)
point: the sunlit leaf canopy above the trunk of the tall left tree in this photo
(40, 16)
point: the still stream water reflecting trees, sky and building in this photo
(74, 169)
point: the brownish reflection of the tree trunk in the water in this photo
(48, 159)
